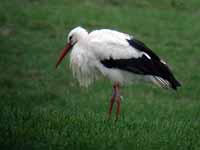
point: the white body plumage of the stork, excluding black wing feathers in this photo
(98, 45)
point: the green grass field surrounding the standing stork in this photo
(44, 108)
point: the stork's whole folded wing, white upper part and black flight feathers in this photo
(129, 54)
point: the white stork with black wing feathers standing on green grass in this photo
(120, 57)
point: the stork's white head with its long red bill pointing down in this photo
(75, 35)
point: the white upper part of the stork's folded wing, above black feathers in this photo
(108, 43)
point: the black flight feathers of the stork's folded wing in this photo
(143, 65)
